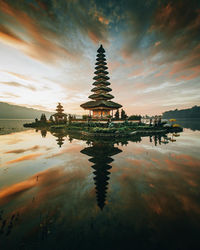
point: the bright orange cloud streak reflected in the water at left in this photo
(49, 183)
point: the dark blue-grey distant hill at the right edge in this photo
(193, 112)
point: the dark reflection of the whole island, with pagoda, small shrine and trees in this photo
(101, 152)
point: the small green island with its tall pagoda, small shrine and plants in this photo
(101, 121)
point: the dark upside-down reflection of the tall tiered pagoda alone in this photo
(101, 153)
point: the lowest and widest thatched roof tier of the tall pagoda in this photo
(101, 104)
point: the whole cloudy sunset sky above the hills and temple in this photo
(48, 52)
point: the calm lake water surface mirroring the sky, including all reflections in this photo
(60, 192)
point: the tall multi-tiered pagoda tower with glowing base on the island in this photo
(101, 104)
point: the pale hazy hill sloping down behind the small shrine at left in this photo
(8, 111)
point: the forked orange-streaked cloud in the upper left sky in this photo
(40, 47)
